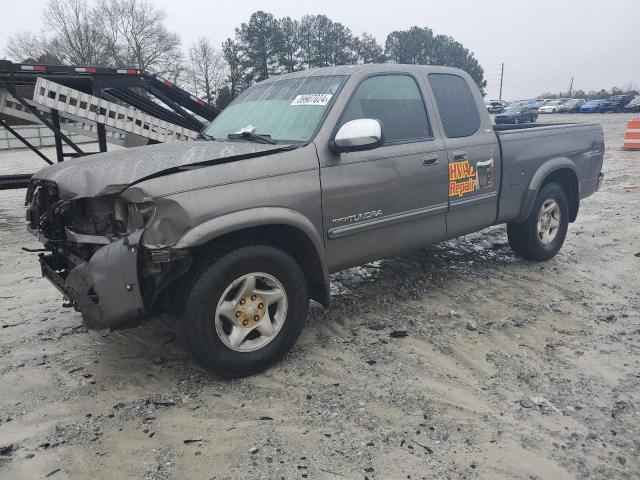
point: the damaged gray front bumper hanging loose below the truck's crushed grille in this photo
(106, 288)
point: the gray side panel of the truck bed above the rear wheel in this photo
(525, 147)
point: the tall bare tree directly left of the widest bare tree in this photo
(76, 37)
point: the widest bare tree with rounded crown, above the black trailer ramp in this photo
(134, 35)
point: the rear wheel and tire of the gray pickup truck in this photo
(525, 238)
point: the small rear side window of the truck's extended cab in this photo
(458, 110)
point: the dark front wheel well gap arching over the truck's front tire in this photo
(285, 237)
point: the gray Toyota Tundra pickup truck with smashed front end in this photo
(302, 175)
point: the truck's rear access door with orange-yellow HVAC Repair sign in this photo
(473, 155)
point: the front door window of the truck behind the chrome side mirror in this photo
(396, 101)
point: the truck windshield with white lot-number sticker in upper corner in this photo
(285, 110)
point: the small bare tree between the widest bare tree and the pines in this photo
(207, 69)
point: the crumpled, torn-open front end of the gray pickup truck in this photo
(94, 255)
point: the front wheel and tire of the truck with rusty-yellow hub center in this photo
(207, 334)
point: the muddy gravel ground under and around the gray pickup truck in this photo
(502, 368)
